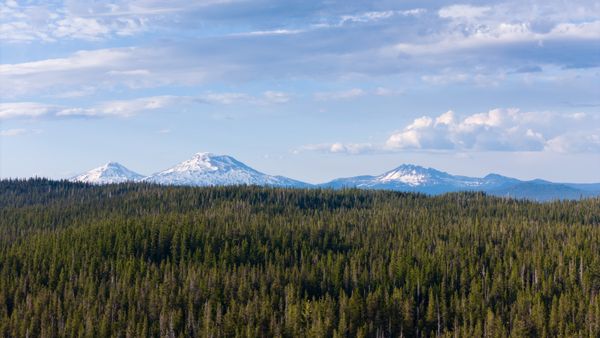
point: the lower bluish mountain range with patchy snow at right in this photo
(415, 178)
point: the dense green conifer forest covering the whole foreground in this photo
(140, 260)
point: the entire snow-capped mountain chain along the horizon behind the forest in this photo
(208, 169)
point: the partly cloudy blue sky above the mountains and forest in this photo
(312, 90)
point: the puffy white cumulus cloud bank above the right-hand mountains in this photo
(495, 130)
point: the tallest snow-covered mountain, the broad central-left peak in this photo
(206, 169)
